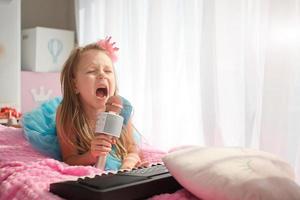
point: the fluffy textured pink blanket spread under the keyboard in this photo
(27, 174)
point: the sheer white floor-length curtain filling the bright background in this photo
(206, 72)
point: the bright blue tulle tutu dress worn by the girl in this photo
(40, 130)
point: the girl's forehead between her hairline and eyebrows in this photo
(94, 57)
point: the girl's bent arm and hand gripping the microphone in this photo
(101, 145)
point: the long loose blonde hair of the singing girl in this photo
(72, 116)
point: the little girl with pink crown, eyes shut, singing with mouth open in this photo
(88, 80)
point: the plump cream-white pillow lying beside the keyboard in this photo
(232, 174)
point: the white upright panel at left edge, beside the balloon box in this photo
(10, 67)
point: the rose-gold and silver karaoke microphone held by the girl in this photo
(109, 123)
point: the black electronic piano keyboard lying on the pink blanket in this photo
(138, 183)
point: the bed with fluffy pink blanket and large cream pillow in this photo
(208, 173)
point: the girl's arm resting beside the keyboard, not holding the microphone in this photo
(132, 159)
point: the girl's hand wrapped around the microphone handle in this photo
(101, 145)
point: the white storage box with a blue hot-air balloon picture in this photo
(45, 49)
